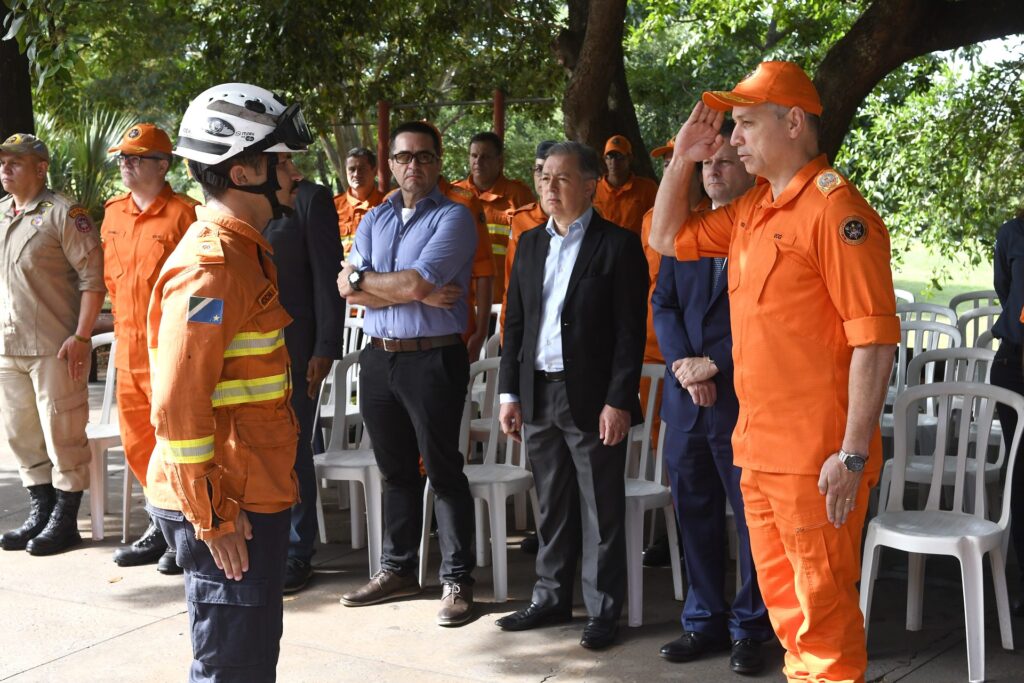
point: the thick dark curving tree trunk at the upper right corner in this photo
(891, 33)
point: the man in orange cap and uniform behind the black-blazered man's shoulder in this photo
(622, 196)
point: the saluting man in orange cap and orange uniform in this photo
(815, 329)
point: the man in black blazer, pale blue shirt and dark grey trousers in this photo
(575, 337)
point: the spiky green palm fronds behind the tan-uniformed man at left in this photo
(80, 165)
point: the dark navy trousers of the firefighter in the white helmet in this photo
(236, 626)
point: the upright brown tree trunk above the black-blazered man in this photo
(598, 103)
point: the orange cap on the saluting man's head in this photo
(778, 82)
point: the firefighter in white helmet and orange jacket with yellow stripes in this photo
(222, 483)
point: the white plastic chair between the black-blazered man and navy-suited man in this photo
(649, 492)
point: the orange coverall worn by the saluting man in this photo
(809, 281)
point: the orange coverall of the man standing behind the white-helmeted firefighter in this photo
(136, 246)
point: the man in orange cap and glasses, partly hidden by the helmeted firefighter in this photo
(141, 230)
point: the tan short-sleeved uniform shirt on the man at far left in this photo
(49, 257)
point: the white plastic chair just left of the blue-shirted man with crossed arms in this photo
(342, 463)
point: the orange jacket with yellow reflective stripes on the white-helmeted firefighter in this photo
(222, 386)
